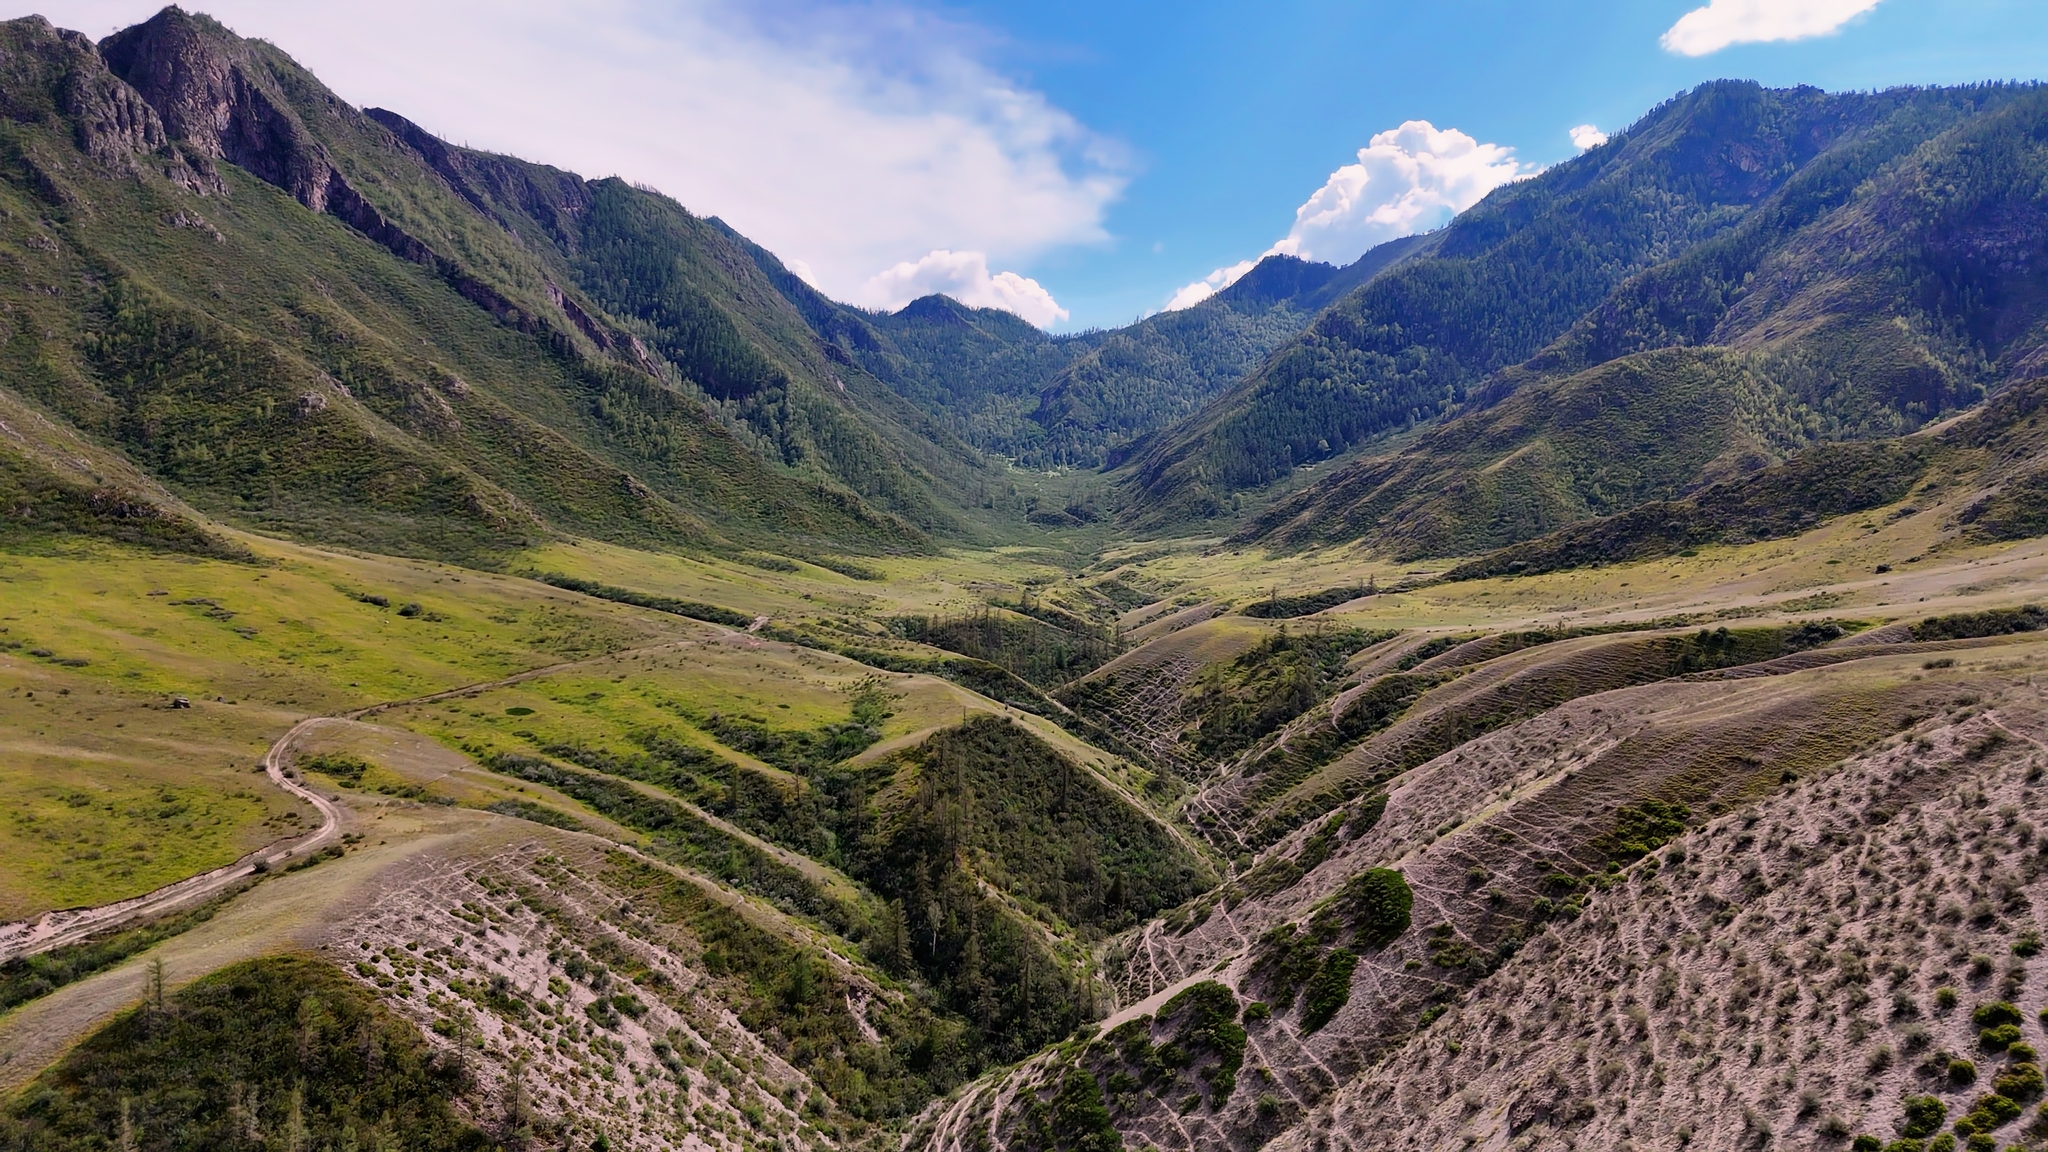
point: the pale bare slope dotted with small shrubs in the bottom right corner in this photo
(1621, 1022)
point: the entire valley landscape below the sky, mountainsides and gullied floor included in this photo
(493, 659)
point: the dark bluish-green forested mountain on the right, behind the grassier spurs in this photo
(1637, 245)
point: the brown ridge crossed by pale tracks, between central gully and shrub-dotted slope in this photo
(1496, 839)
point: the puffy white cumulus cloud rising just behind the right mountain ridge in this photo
(1408, 179)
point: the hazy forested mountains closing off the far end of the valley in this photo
(1084, 401)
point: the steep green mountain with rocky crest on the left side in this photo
(331, 325)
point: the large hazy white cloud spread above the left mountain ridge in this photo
(843, 138)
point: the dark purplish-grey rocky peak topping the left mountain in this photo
(220, 99)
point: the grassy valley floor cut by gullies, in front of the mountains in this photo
(1707, 852)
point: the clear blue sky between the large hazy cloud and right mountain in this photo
(1238, 112)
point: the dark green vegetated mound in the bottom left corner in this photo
(275, 1053)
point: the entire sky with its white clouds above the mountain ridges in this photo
(1080, 163)
